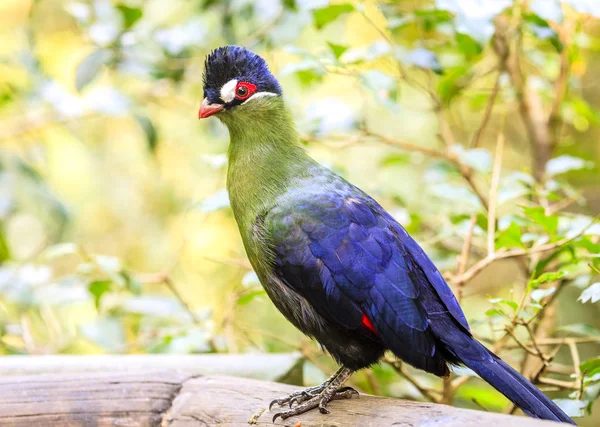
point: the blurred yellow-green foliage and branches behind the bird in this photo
(476, 123)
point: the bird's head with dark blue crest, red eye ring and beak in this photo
(235, 77)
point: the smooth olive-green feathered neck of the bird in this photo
(265, 156)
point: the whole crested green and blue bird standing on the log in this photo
(332, 260)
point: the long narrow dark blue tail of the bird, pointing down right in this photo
(508, 381)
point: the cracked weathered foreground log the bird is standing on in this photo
(172, 398)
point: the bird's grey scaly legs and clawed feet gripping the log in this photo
(319, 396)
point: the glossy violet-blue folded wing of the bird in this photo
(349, 258)
